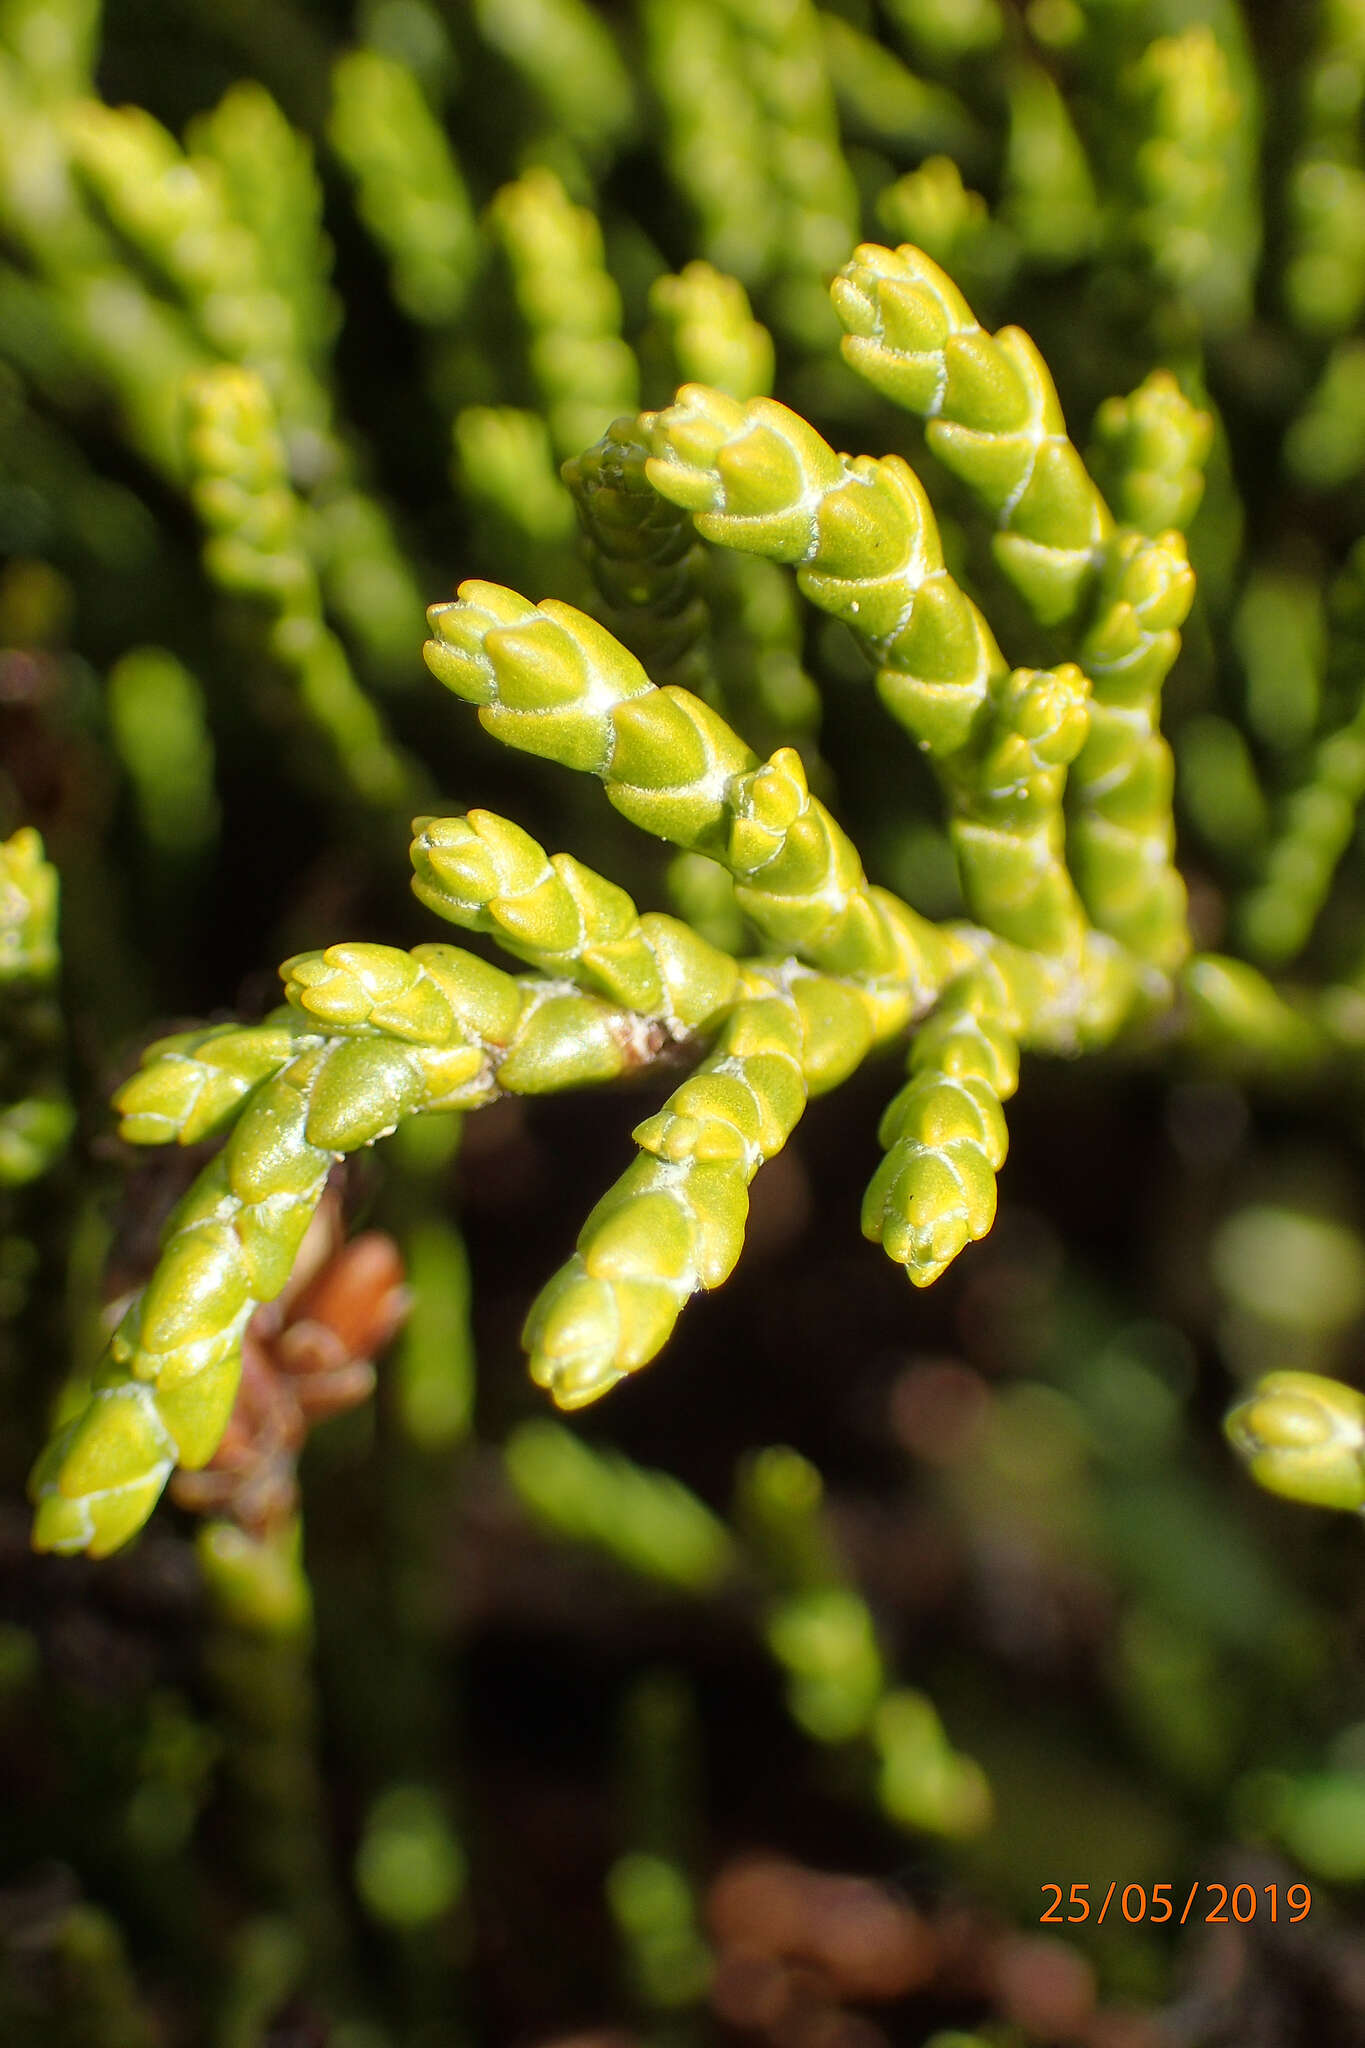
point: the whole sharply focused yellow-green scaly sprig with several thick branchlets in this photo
(1057, 790)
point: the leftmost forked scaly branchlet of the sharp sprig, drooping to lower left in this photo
(371, 1037)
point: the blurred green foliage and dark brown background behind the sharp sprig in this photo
(766, 1701)
